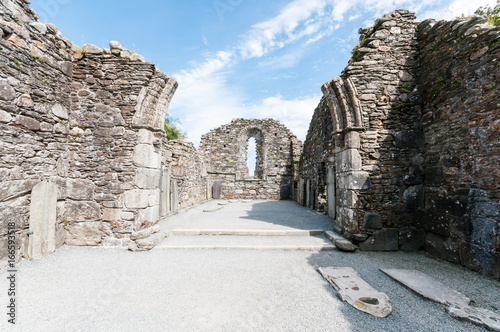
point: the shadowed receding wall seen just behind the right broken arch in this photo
(317, 158)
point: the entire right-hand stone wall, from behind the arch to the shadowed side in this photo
(415, 126)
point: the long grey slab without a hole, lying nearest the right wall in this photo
(457, 304)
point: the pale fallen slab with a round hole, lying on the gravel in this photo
(352, 289)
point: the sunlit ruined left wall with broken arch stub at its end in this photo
(84, 125)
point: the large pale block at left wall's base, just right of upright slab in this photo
(87, 233)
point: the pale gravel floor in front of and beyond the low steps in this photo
(98, 289)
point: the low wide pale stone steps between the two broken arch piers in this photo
(248, 242)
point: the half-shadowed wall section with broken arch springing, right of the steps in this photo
(379, 138)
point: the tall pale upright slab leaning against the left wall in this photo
(42, 241)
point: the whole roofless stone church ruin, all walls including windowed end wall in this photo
(402, 150)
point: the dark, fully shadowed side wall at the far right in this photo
(461, 118)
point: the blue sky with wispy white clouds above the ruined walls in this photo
(238, 58)
